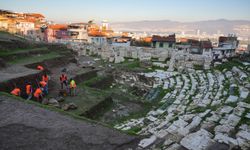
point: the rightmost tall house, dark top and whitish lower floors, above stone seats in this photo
(226, 47)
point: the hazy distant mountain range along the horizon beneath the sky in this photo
(223, 26)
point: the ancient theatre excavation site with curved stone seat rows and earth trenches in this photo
(100, 97)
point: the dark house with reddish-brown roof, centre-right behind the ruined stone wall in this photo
(163, 41)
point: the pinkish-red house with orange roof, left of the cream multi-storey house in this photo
(56, 32)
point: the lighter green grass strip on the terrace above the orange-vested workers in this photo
(34, 59)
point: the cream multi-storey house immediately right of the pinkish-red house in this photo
(78, 31)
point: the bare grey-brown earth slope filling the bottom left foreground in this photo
(25, 126)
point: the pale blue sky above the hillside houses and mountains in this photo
(132, 10)
